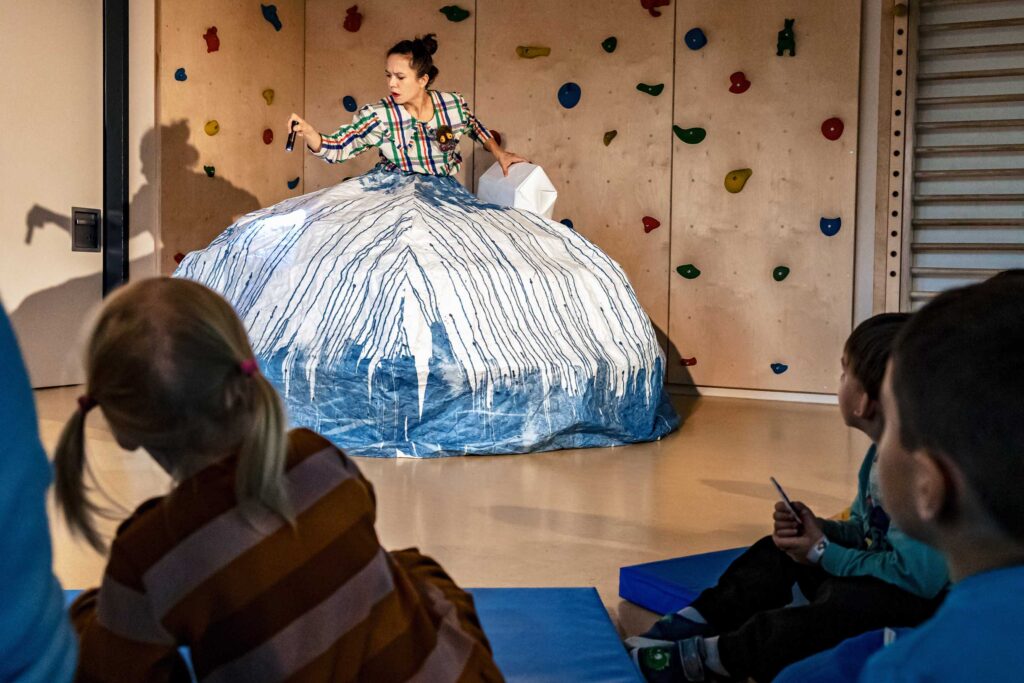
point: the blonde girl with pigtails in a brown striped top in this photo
(264, 560)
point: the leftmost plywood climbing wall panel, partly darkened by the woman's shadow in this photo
(223, 131)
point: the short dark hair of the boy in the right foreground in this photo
(958, 376)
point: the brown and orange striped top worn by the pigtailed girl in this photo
(259, 601)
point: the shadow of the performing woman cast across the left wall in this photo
(210, 202)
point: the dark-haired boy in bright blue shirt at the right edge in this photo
(952, 465)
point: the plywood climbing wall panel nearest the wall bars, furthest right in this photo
(762, 289)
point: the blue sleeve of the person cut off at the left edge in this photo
(36, 639)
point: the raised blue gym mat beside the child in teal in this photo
(668, 586)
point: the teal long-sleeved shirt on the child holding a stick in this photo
(870, 545)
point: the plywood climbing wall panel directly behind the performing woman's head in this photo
(343, 63)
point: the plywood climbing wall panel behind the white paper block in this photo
(605, 190)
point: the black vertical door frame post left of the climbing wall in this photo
(116, 216)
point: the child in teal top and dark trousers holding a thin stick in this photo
(858, 575)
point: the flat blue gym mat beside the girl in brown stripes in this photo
(541, 635)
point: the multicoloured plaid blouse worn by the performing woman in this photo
(405, 143)
